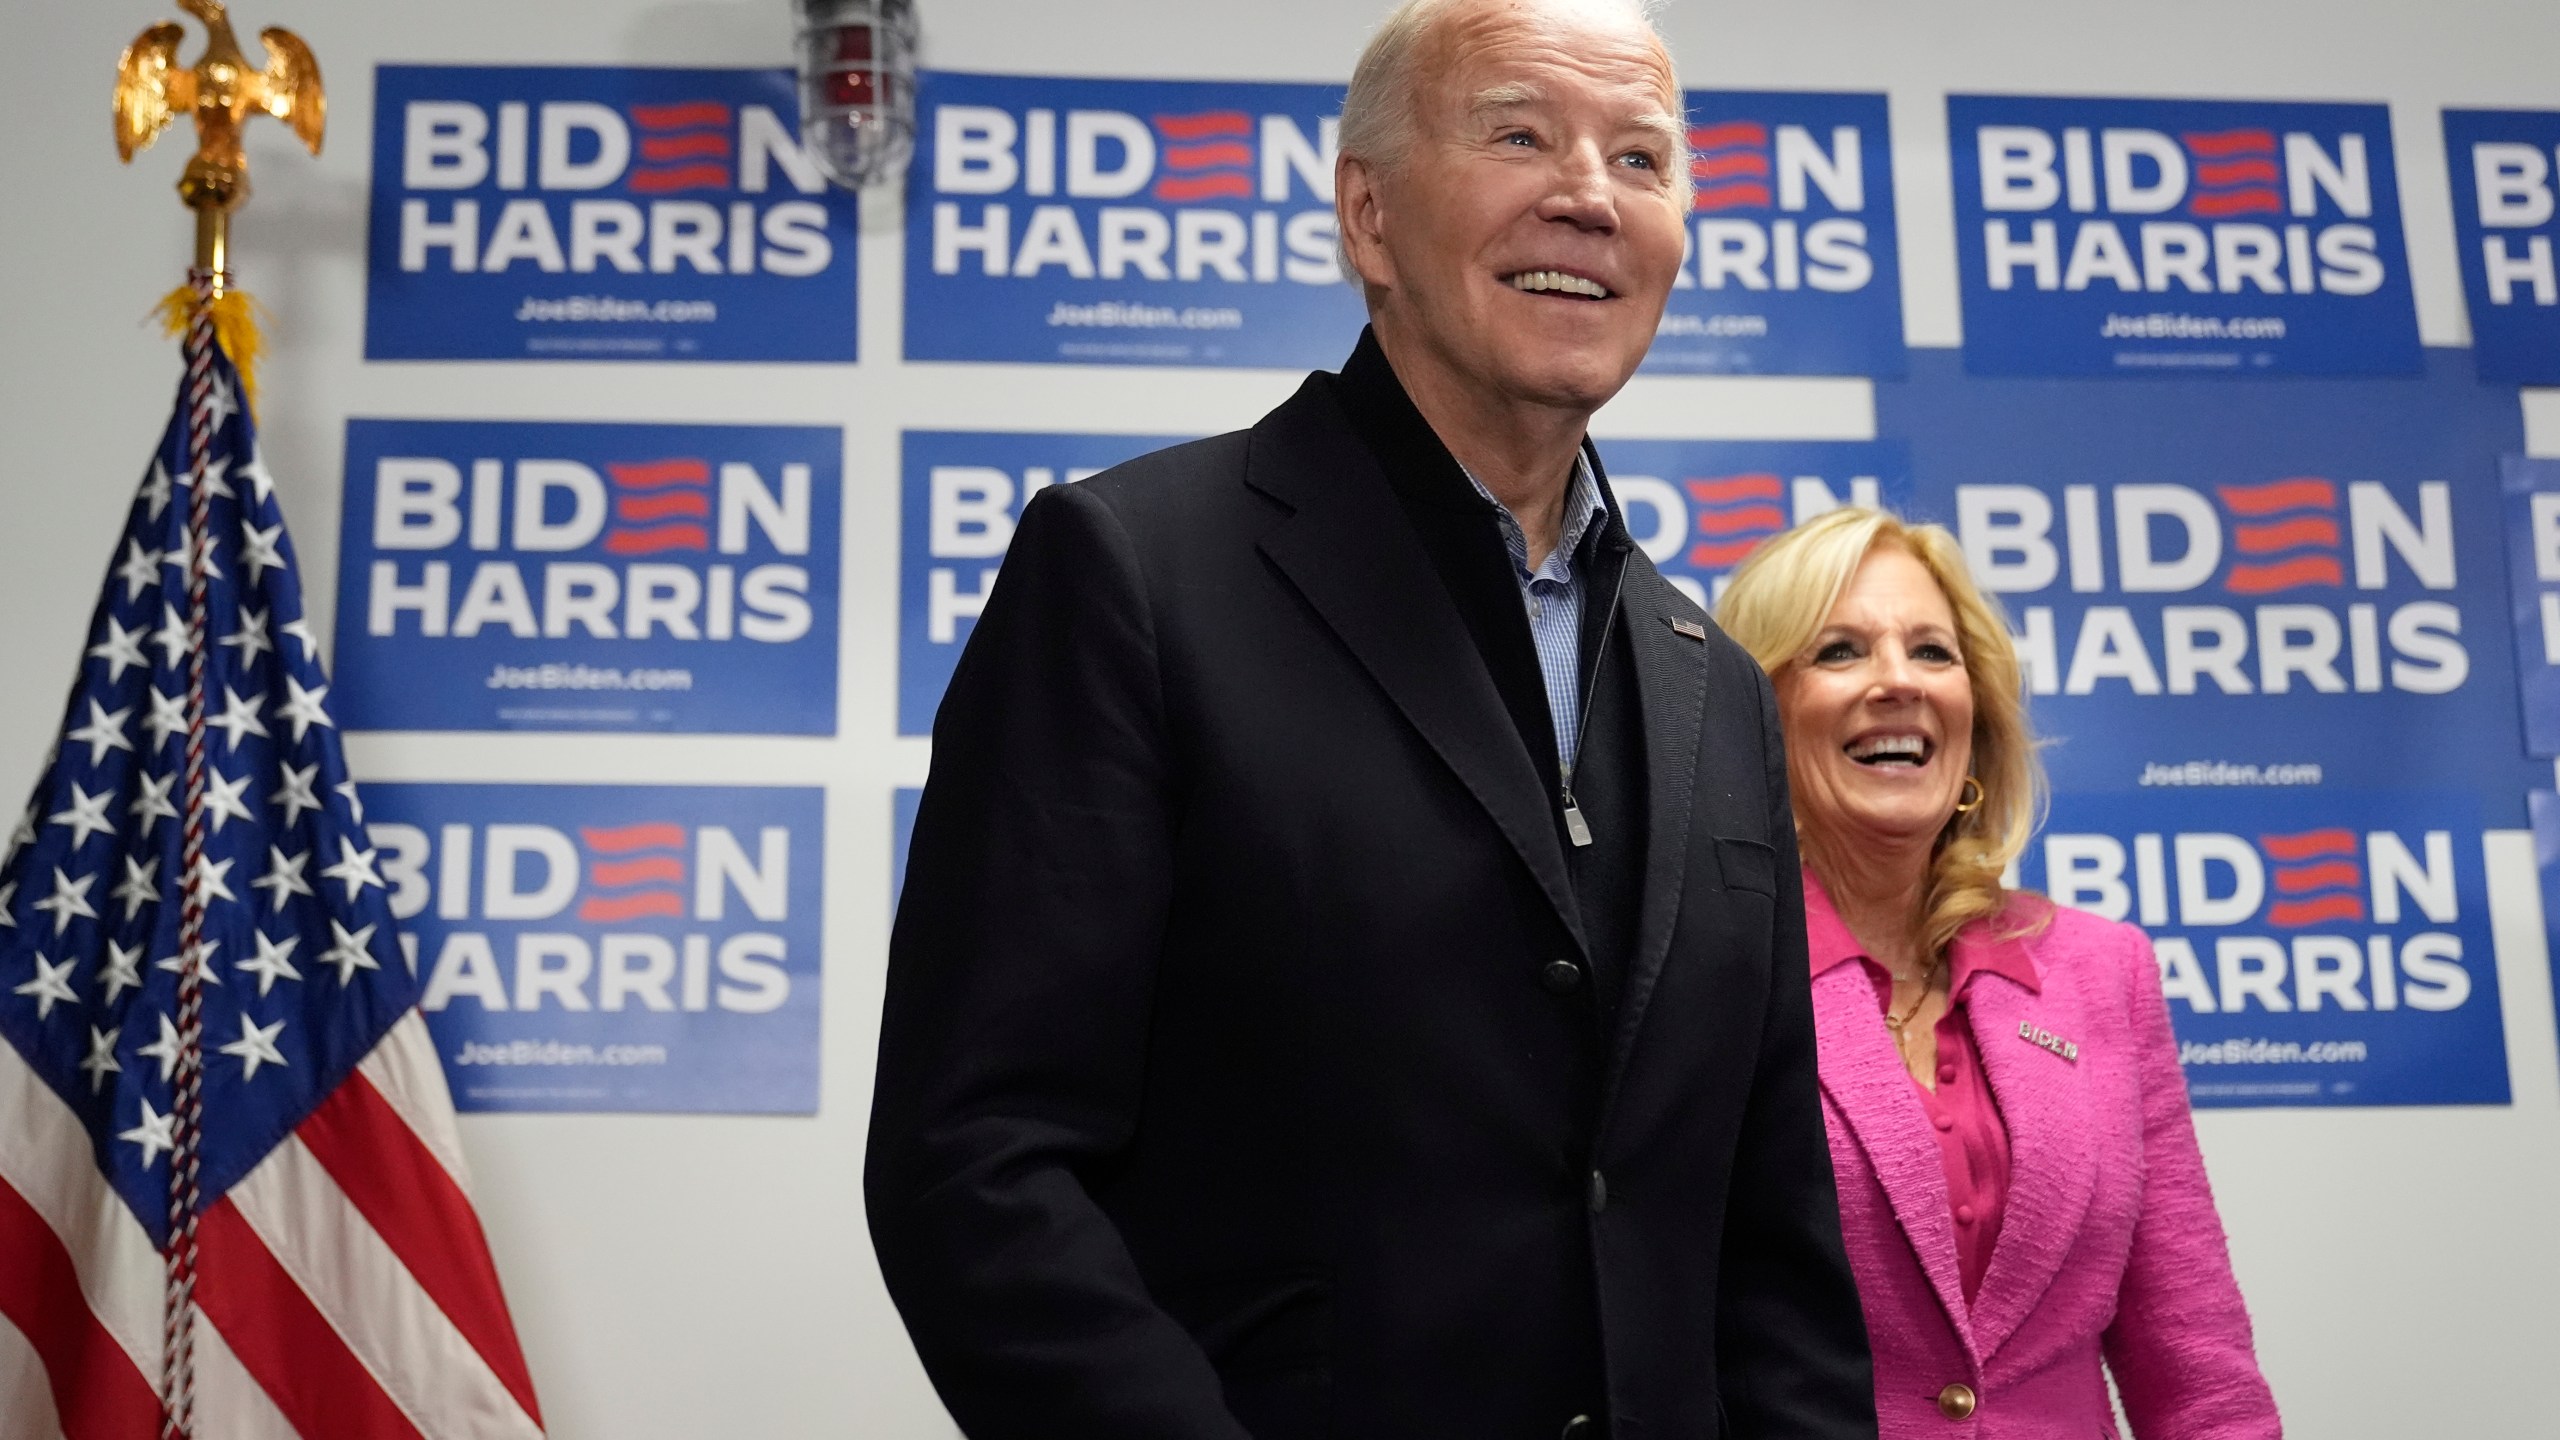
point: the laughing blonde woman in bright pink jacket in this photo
(2021, 1185)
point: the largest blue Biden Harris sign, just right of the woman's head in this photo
(2223, 583)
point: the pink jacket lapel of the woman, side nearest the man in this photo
(1865, 1077)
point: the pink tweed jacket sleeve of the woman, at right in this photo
(2180, 1344)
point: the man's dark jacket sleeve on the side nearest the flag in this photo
(1012, 1034)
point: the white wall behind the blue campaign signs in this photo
(710, 1277)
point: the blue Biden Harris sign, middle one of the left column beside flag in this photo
(588, 578)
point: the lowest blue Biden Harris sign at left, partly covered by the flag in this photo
(613, 947)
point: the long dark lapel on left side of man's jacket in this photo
(1358, 562)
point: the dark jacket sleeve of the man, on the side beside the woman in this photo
(1791, 1339)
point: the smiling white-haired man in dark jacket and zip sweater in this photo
(1350, 978)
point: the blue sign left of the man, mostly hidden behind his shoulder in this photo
(959, 498)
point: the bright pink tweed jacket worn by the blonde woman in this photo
(2111, 1241)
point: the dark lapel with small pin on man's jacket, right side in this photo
(1673, 696)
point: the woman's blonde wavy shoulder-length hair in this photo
(1780, 601)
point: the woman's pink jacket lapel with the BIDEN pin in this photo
(2049, 1172)
